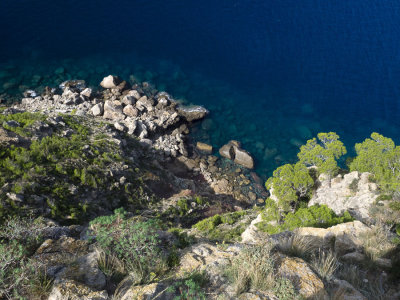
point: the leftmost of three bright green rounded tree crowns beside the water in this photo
(289, 183)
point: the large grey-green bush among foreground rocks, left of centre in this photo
(136, 244)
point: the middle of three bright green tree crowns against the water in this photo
(324, 153)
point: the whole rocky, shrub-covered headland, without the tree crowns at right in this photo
(110, 198)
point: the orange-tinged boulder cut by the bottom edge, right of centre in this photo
(304, 279)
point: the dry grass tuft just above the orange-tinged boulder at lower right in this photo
(298, 245)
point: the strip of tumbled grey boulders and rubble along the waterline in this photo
(160, 123)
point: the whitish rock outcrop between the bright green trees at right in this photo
(352, 192)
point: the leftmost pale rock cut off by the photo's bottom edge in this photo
(71, 290)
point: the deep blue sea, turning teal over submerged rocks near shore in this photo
(273, 73)
